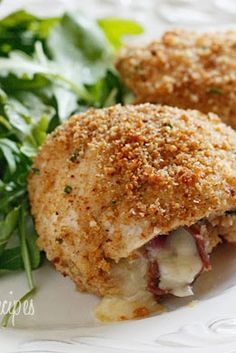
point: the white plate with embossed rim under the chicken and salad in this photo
(63, 320)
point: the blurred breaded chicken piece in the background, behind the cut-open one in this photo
(186, 70)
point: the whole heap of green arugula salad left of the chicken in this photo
(50, 68)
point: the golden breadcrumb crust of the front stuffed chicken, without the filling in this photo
(109, 180)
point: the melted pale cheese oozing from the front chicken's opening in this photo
(179, 263)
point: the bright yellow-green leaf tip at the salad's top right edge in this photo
(116, 28)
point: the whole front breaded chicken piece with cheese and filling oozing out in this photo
(129, 201)
